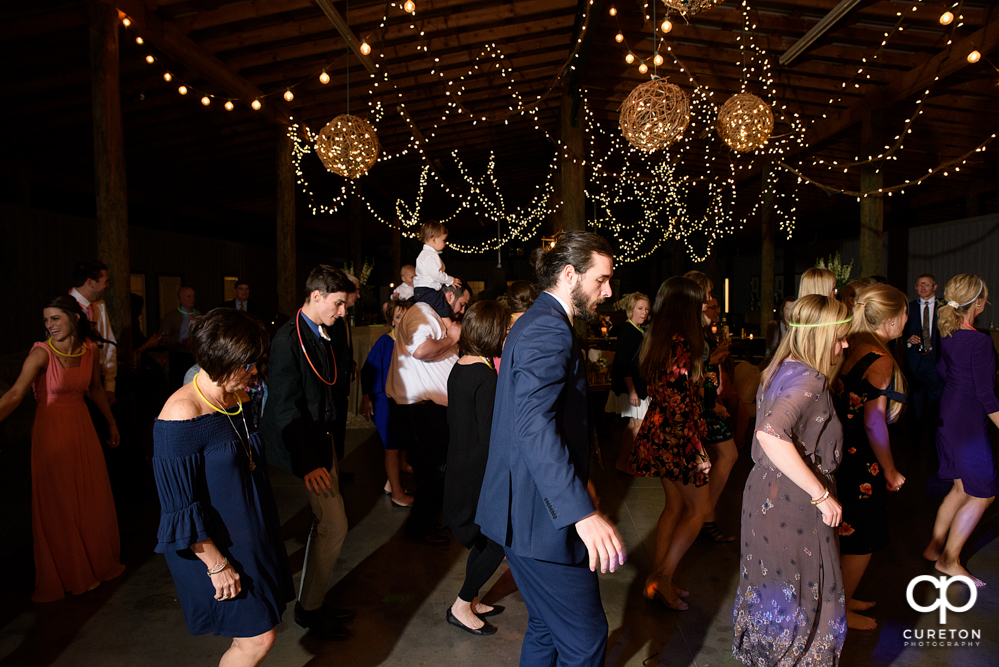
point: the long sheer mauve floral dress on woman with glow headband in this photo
(790, 608)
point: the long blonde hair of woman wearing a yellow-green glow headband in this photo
(812, 336)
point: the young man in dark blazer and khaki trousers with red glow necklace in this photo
(299, 421)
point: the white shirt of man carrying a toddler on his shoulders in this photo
(411, 380)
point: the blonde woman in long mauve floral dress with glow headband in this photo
(790, 608)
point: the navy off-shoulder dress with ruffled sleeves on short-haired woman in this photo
(206, 491)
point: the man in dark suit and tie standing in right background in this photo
(922, 338)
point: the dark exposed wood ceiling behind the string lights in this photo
(189, 156)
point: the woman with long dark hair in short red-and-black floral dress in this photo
(669, 443)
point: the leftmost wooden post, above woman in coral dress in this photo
(109, 174)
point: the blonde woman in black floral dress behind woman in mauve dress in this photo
(870, 398)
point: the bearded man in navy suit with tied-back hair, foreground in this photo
(534, 498)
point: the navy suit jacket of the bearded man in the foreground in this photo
(534, 489)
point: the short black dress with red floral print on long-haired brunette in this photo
(670, 441)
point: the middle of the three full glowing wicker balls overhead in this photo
(654, 115)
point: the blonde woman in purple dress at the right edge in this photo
(967, 367)
